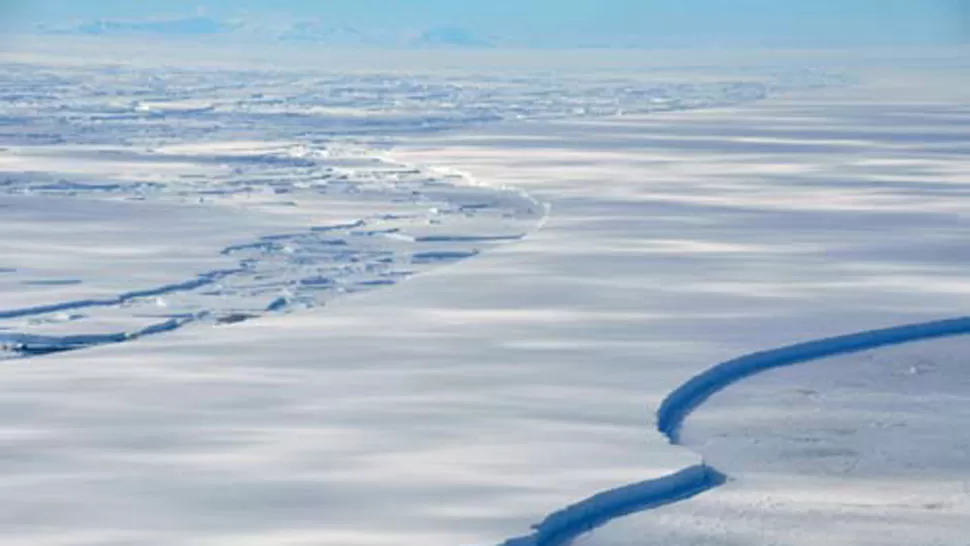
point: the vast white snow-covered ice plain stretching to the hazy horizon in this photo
(474, 400)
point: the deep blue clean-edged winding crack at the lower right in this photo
(564, 526)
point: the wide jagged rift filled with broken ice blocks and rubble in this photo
(296, 269)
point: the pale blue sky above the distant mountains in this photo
(579, 22)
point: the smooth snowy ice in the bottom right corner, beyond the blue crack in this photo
(874, 454)
